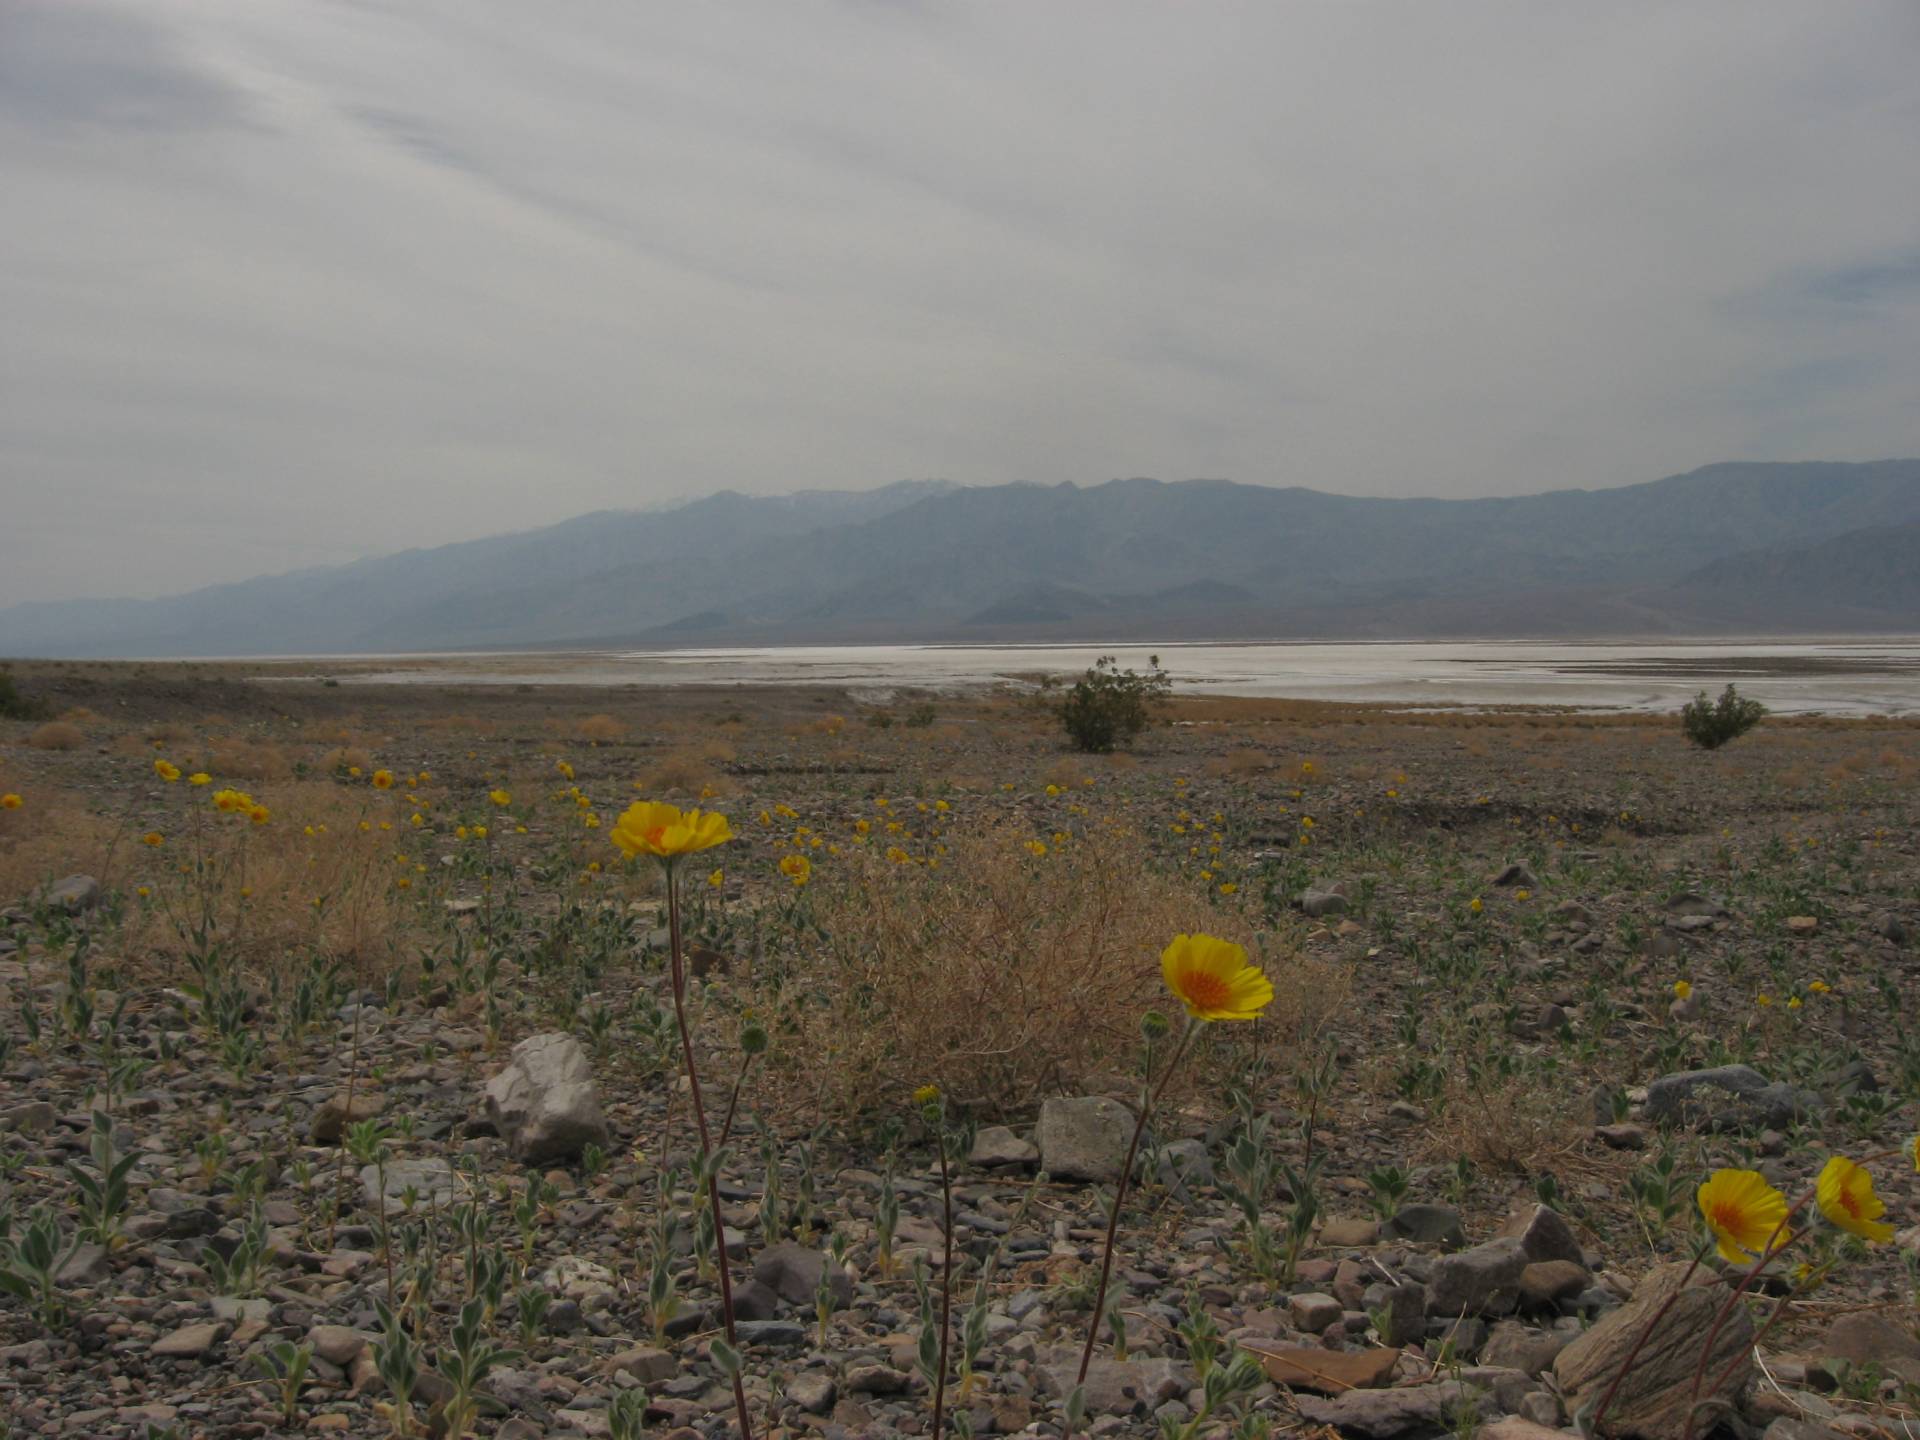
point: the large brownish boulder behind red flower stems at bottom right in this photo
(1652, 1401)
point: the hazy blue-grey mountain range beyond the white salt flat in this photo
(1731, 548)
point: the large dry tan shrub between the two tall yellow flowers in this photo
(1001, 976)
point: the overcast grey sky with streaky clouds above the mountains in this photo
(295, 281)
